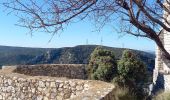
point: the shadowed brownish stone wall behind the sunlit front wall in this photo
(73, 71)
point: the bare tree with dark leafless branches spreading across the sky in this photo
(141, 18)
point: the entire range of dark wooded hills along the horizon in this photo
(67, 55)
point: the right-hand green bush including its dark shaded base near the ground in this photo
(132, 73)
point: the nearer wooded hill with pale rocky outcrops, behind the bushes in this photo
(81, 54)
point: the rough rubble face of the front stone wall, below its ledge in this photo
(17, 88)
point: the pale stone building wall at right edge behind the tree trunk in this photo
(162, 65)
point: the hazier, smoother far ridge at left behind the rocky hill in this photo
(18, 55)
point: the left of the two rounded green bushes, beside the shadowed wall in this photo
(102, 65)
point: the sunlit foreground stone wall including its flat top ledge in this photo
(14, 86)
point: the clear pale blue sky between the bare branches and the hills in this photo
(75, 34)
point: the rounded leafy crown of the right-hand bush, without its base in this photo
(131, 71)
